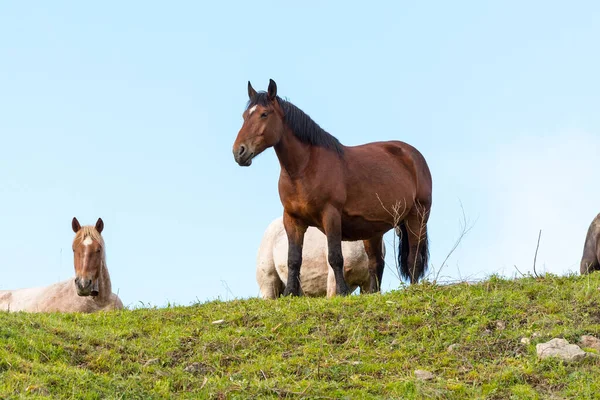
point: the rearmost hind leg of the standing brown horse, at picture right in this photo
(418, 252)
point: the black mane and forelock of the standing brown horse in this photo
(305, 129)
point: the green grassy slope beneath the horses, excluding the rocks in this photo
(356, 347)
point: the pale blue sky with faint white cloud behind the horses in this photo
(128, 111)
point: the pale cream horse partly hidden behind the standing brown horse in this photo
(316, 275)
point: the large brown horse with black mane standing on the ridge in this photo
(347, 192)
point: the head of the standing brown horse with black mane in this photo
(263, 125)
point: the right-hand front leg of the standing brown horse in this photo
(332, 224)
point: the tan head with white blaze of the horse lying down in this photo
(88, 251)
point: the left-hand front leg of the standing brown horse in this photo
(295, 231)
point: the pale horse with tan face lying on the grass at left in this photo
(90, 291)
